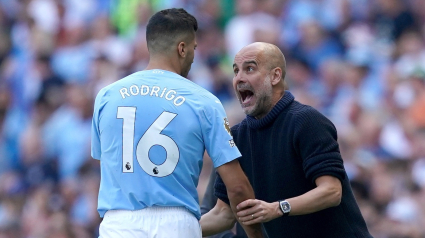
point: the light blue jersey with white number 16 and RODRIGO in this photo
(150, 131)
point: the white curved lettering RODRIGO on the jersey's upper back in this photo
(156, 91)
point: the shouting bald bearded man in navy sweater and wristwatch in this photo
(290, 155)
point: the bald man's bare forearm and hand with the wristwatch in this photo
(327, 194)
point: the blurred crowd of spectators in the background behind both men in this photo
(359, 62)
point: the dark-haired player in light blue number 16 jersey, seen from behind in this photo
(150, 131)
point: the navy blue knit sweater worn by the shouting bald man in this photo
(282, 155)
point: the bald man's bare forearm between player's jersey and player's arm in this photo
(220, 218)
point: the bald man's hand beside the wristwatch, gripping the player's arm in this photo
(254, 211)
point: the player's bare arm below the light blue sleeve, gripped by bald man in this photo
(238, 190)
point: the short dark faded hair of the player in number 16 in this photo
(168, 26)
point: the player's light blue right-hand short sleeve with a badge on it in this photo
(216, 134)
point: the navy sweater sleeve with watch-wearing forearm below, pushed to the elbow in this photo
(315, 139)
